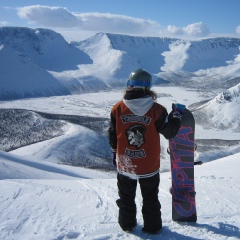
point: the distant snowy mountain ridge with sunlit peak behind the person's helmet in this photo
(121, 54)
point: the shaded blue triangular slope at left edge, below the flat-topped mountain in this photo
(31, 79)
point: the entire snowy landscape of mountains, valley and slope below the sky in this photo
(57, 180)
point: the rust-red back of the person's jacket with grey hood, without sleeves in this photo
(138, 145)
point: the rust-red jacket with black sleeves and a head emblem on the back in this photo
(136, 137)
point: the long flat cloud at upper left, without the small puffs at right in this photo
(60, 17)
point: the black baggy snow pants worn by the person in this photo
(151, 208)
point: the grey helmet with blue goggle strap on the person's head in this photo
(140, 78)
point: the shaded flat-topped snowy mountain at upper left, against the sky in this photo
(45, 47)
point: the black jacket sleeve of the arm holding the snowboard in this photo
(167, 125)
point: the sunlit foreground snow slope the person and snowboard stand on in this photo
(39, 201)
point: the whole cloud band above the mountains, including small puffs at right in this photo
(59, 17)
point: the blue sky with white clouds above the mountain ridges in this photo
(79, 19)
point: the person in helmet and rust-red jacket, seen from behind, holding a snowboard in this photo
(135, 124)
